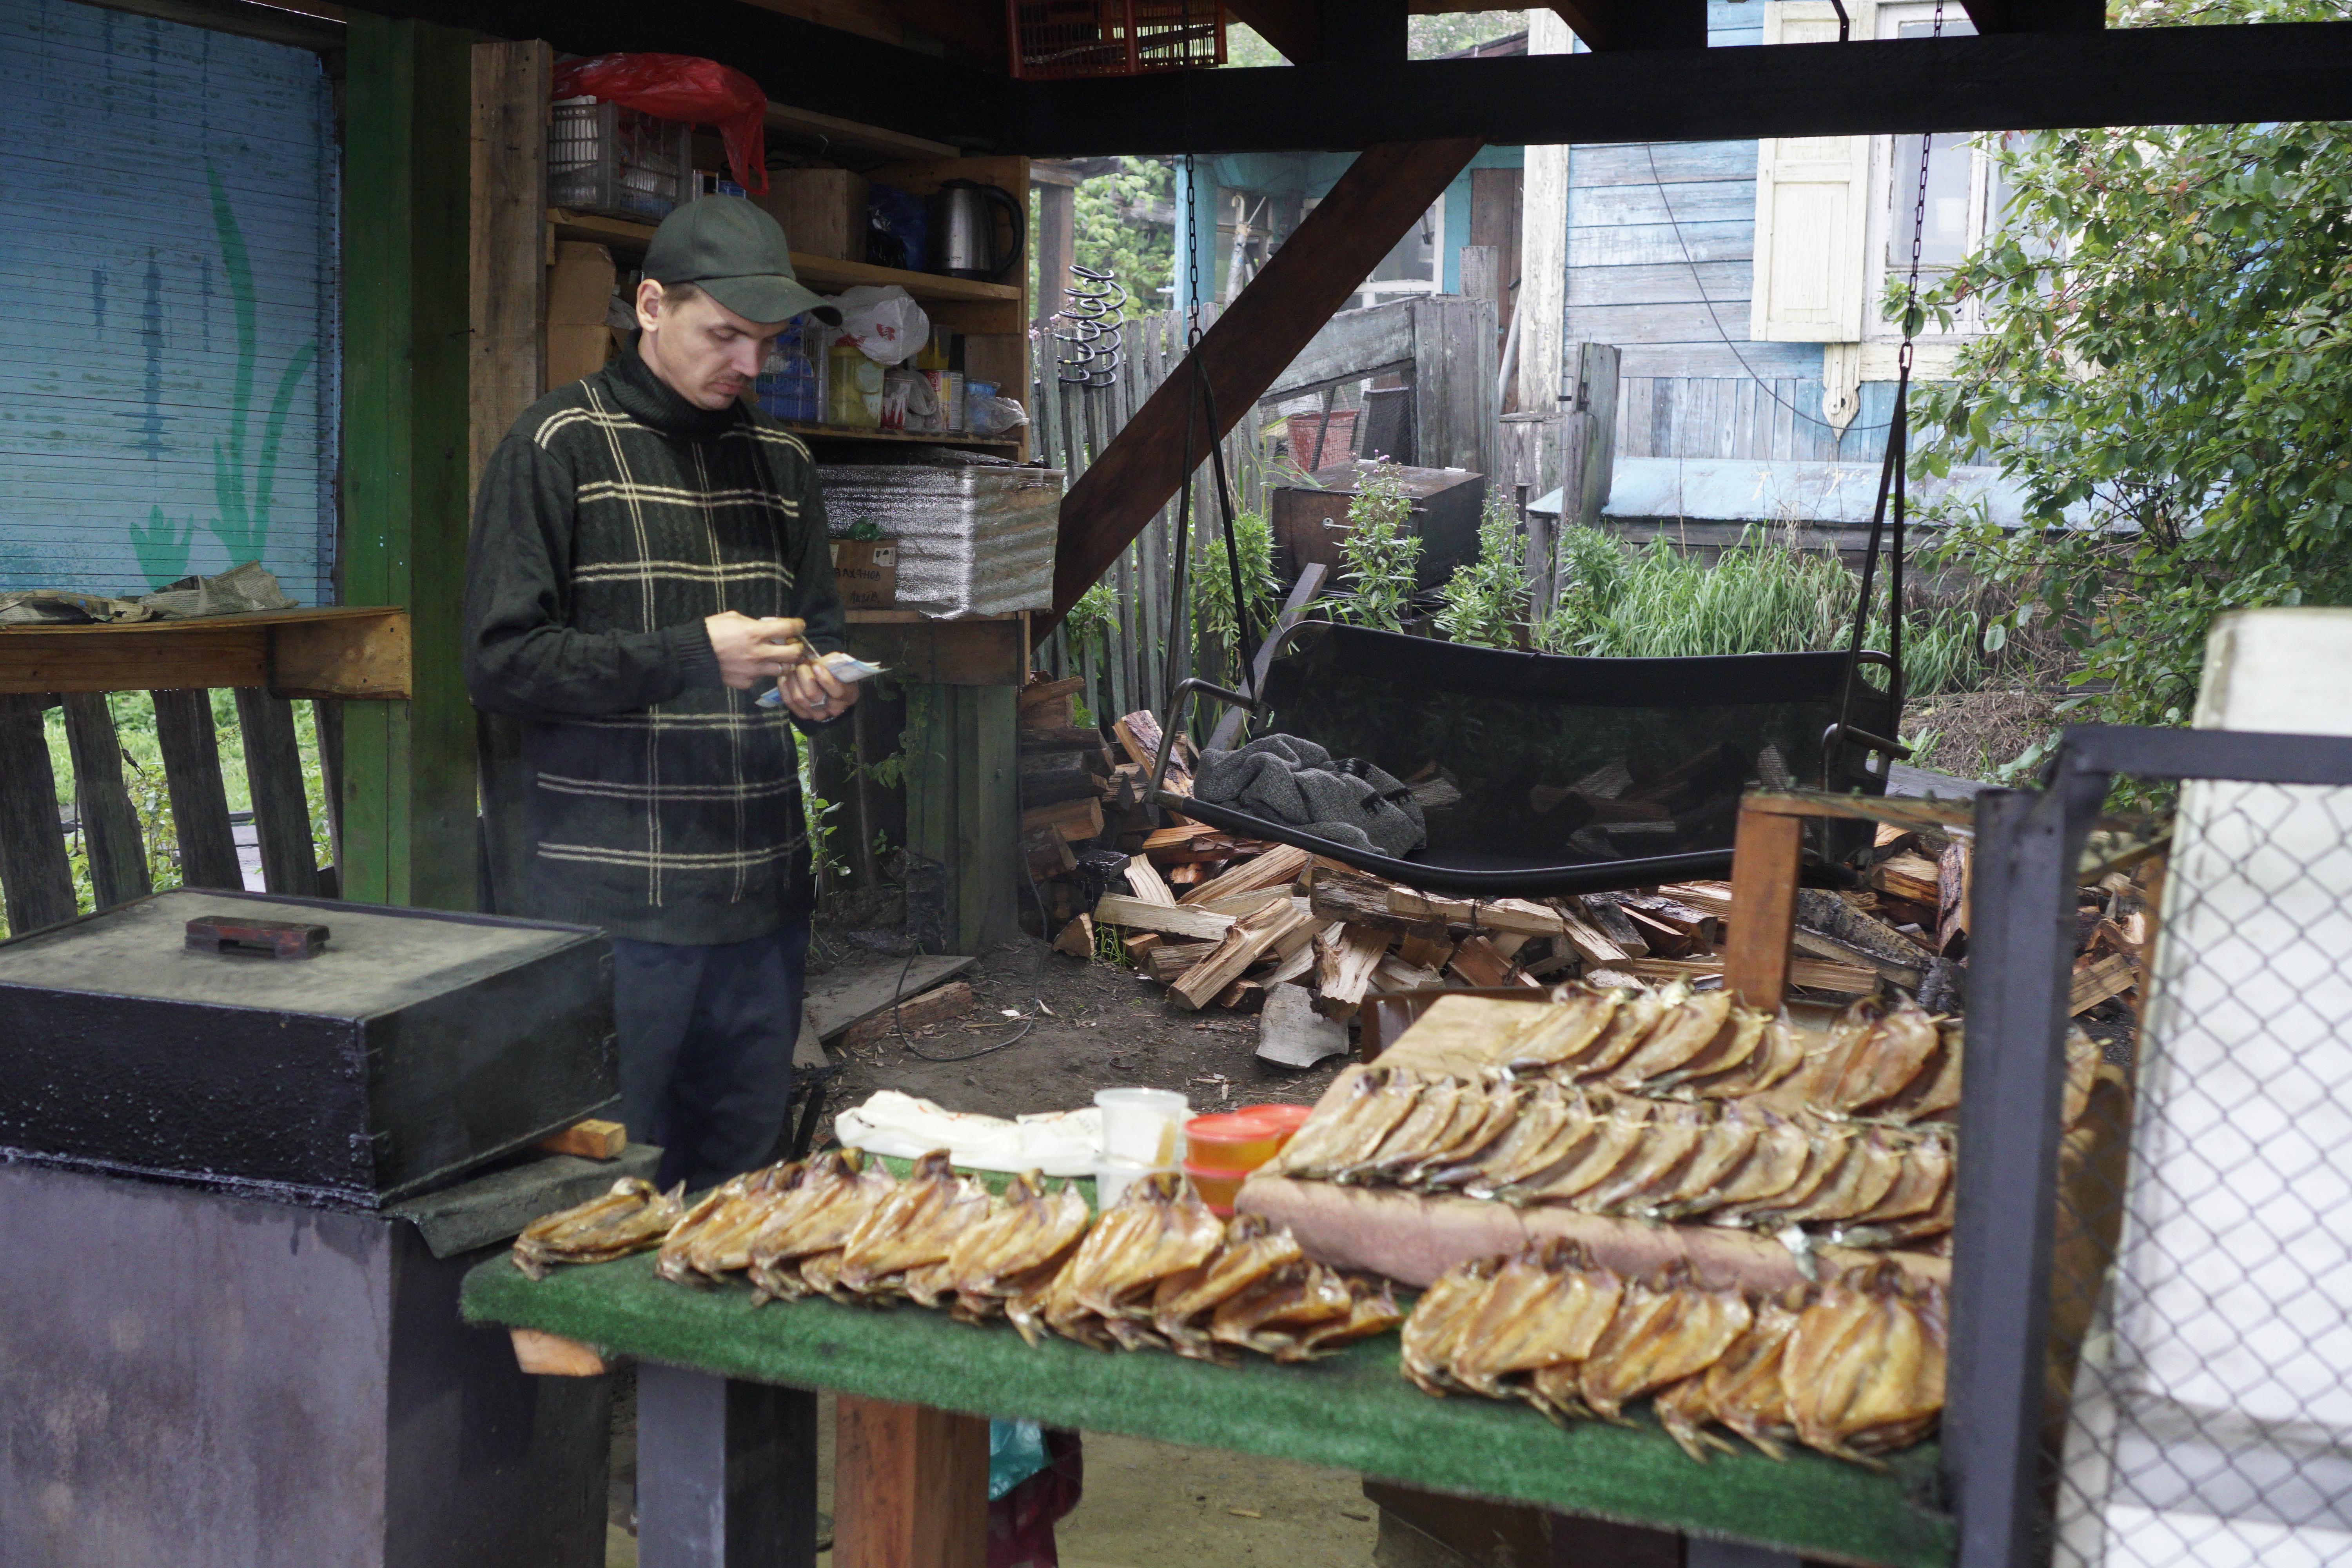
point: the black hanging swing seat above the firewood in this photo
(1544, 775)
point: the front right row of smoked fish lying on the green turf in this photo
(1852, 1367)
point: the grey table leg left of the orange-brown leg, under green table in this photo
(728, 1473)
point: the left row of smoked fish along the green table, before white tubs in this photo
(1151, 1273)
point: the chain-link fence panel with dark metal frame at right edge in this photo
(2191, 1264)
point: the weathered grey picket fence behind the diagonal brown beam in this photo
(1128, 669)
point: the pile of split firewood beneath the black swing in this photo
(1229, 923)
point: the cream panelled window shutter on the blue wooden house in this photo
(1812, 208)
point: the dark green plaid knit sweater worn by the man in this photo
(610, 523)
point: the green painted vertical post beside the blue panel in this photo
(408, 768)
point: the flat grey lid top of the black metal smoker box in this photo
(375, 960)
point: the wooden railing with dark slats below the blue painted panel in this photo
(267, 659)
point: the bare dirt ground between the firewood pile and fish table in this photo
(1090, 1026)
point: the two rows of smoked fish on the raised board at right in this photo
(1852, 1162)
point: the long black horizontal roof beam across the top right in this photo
(2233, 74)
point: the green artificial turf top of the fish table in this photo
(1354, 1412)
